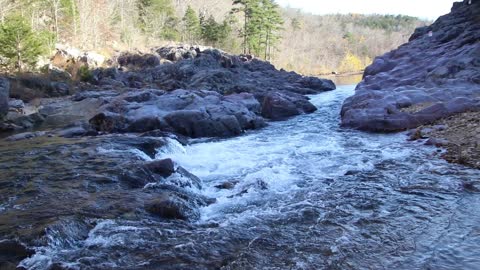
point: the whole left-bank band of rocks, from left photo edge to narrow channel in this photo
(190, 91)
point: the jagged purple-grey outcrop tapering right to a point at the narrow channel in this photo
(199, 92)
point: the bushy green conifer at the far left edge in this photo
(19, 43)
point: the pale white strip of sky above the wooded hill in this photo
(425, 9)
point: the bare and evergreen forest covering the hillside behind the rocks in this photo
(293, 40)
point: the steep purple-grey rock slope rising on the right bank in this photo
(434, 75)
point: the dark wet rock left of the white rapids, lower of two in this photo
(169, 205)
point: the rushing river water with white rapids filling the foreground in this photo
(308, 195)
